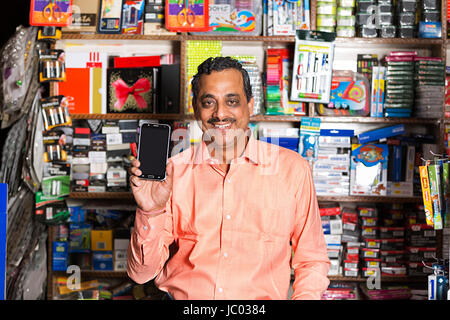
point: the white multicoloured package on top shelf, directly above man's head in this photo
(235, 17)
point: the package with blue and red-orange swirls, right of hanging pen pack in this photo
(349, 96)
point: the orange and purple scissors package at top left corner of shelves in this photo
(55, 13)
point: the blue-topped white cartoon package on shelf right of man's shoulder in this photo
(368, 169)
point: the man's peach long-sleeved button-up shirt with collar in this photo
(234, 235)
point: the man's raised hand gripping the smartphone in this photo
(150, 195)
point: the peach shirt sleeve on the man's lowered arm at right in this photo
(310, 259)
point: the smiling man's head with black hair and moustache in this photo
(222, 99)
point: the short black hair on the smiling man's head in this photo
(219, 64)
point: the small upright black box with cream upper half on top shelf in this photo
(110, 16)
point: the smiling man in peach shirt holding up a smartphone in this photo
(233, 207)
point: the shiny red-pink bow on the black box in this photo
(123, 91)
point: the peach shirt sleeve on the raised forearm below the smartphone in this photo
(149, 245)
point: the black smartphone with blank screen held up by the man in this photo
(153, 150)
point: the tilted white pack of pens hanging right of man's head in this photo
(313, 66)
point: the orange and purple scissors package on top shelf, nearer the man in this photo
(187, 15)
